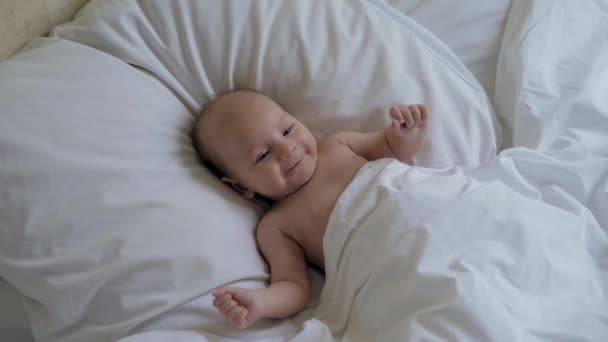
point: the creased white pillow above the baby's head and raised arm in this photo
(336, 65)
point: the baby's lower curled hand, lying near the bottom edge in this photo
(240, 306)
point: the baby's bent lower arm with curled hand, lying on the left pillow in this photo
(289, 289)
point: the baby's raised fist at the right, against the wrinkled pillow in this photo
(407, 132)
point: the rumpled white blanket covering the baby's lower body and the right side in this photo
(515, 250)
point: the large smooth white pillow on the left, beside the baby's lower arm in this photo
(108, 220)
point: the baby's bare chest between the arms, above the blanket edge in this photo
(305, 214)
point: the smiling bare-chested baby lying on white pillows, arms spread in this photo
(263, 150)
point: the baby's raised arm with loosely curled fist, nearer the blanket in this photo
(401, 140)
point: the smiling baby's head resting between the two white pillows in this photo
(258, 147)
